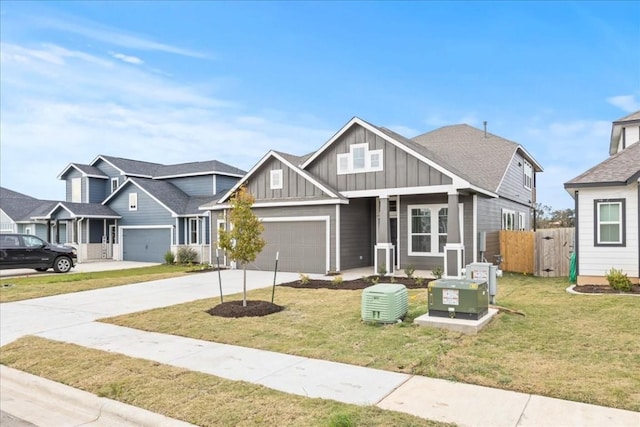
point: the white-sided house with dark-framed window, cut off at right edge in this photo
(607, 199)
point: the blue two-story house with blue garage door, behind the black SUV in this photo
(130, 210)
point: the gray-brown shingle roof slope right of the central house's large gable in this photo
(483, 159)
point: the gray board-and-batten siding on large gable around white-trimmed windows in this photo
(400, 168)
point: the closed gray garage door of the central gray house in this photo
(302, 246)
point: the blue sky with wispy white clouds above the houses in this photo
(173, 82)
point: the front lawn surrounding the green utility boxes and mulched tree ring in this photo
(578, 347)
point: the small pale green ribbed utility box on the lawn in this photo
(384, 303)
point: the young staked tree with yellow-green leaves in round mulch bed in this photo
(243, 242)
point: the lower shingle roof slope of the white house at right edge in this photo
(620, 169)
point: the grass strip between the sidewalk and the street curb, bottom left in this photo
(194, 397)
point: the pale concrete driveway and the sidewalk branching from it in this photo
(71, 318)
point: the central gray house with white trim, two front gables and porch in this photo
(371, 197)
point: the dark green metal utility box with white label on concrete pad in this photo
(459, 299)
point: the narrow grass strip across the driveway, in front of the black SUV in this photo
(21, 288)
